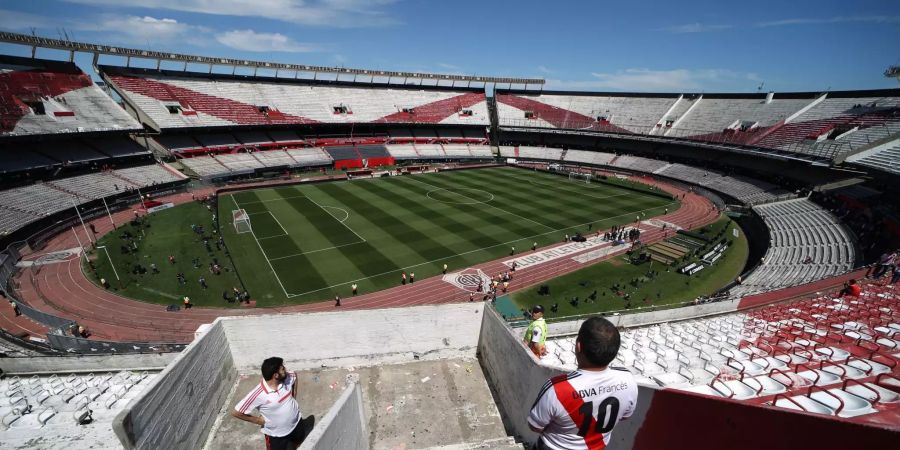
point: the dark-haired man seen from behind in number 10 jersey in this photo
(578, 410)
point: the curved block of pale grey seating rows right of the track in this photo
(807, 243)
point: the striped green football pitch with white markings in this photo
(311, 241)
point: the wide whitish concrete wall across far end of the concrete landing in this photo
(355, 338)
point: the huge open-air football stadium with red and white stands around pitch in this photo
(168, 221)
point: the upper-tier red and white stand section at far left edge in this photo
(40, 97)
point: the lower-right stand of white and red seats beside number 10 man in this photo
(804, 355)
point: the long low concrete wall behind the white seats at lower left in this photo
(85, 363)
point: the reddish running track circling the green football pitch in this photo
(63, 290)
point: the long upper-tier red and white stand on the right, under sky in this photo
(815, 125)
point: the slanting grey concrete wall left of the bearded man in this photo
(177, 410)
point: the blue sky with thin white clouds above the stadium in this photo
(672, 46)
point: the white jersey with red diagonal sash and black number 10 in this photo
(578, 410)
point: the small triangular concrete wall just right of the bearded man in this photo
(343, 427)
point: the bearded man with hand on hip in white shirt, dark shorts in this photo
(279, 414)
